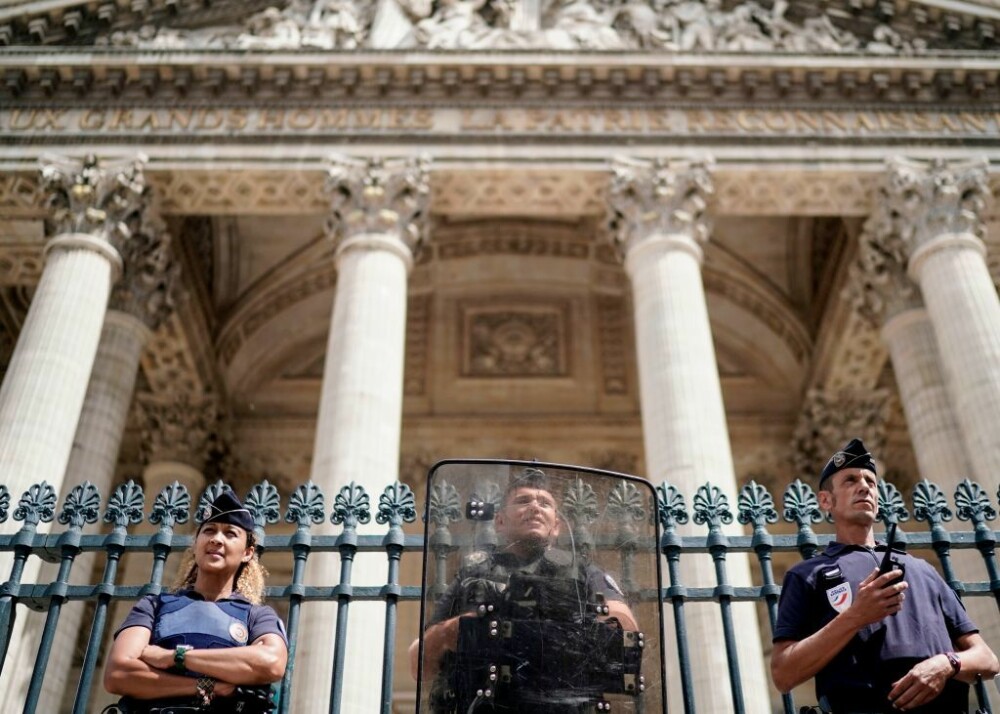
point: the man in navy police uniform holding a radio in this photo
(875, 642)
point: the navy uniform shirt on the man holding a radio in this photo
(931, 618)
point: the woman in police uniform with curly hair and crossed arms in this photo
(210, 646)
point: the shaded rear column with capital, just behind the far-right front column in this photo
(885, 296)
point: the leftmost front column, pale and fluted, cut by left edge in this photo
(93, 208)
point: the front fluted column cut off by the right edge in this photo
(939, 207)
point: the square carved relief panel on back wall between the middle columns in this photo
(515, 340)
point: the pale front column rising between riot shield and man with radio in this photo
(660, 226)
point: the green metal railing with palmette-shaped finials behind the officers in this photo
(306, 508)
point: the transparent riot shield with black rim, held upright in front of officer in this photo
(540, 591)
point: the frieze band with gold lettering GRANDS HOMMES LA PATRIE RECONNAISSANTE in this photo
(40, 123)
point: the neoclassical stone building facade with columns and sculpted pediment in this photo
(695, 240)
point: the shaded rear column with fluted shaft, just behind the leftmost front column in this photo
(140, 301)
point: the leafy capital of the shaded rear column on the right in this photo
(879, 286)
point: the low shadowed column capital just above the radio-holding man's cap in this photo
(829, 419)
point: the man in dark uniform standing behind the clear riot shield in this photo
(528, 523)
